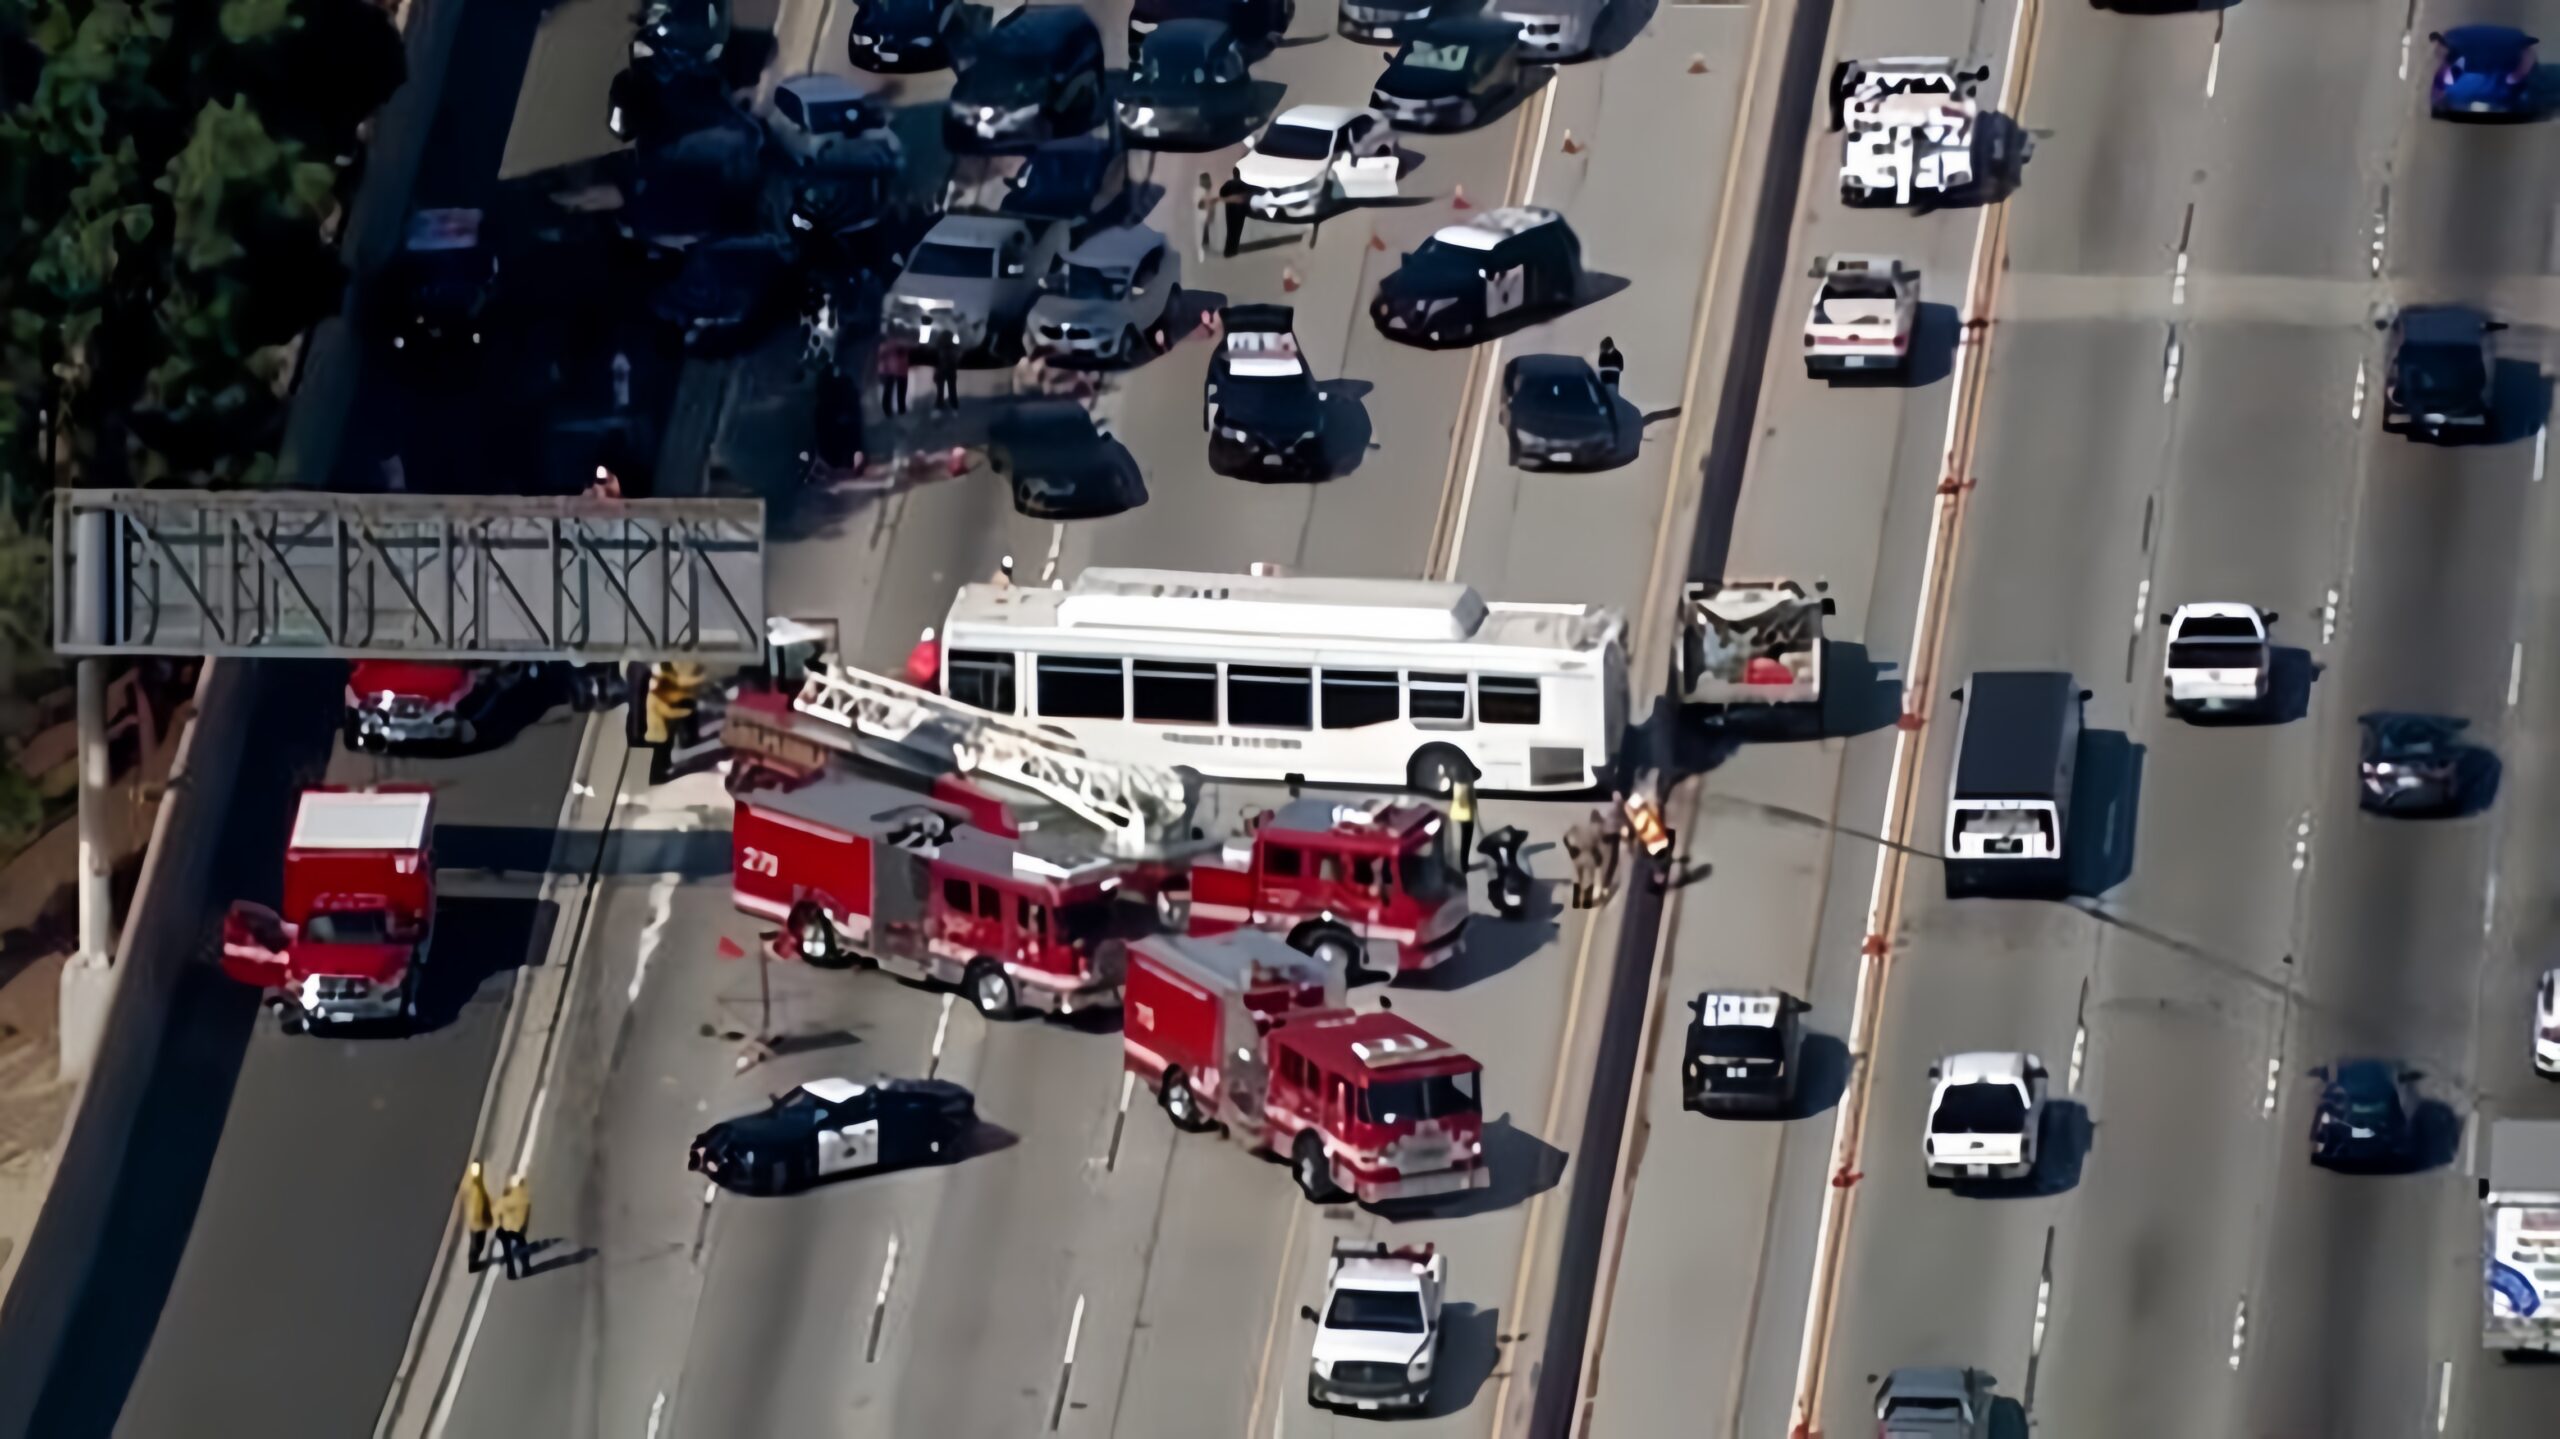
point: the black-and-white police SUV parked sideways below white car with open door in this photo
(1484, 278)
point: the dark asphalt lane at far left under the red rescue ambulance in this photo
(342, 1146)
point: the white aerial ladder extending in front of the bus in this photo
(1138, 808)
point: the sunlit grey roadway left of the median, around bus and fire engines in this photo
(1176, 1264)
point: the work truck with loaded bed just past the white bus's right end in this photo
(1752, 647)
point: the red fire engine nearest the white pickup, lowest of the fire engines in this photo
(1361, 1102)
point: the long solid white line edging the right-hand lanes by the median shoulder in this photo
(1809, 1363)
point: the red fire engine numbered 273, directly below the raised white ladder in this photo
(861, 872)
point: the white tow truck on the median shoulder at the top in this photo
(1911, 129)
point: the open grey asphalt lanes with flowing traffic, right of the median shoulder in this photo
(2177, 1266)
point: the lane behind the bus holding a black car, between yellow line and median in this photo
(1568, 536)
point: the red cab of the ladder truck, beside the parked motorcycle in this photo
(1348, 882)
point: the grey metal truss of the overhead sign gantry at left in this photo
(150, 572)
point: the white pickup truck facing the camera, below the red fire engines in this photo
(1379, 1333)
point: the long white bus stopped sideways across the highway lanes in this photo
(1368, 682)
